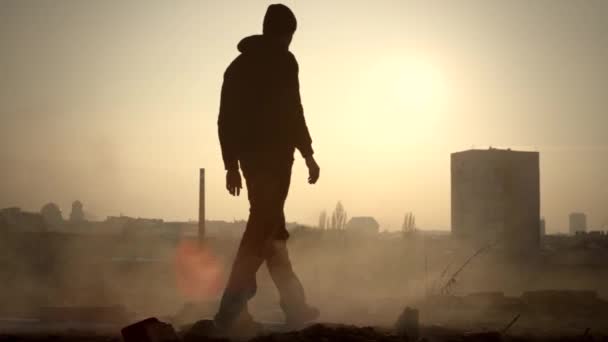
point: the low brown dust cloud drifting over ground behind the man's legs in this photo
(356, 279)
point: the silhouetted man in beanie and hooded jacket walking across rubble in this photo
(261, 123)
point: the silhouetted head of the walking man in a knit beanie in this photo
(280, 23)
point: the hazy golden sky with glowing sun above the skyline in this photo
(115, 102)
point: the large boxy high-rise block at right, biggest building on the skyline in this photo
(496, 197)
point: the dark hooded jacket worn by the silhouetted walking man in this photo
(261, 117)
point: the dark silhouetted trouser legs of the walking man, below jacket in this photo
(264, 240)
